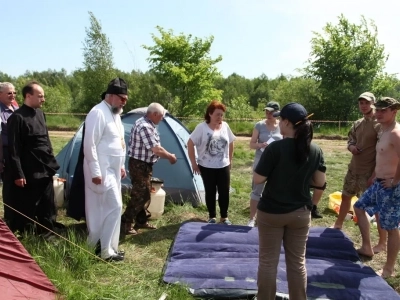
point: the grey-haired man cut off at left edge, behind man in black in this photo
(7, 106)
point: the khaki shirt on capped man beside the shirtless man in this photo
(364, 134)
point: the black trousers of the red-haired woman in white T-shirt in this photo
(216, 180)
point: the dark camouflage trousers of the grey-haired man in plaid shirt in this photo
(136, 211)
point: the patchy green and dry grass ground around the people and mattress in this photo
(79, 275)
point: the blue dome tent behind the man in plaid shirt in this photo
(179, 181)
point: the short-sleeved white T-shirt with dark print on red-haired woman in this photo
(212, 146)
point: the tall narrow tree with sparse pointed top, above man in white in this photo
(98, 64)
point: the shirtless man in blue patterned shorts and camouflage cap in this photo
(383, 196)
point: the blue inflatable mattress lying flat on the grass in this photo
(221, 261)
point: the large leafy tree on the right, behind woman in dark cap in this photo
(345, 60)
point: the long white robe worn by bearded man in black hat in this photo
(104, 150)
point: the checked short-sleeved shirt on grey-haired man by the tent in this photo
(144, 136)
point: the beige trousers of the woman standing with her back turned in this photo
(291, 228)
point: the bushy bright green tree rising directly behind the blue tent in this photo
(183, 66)
